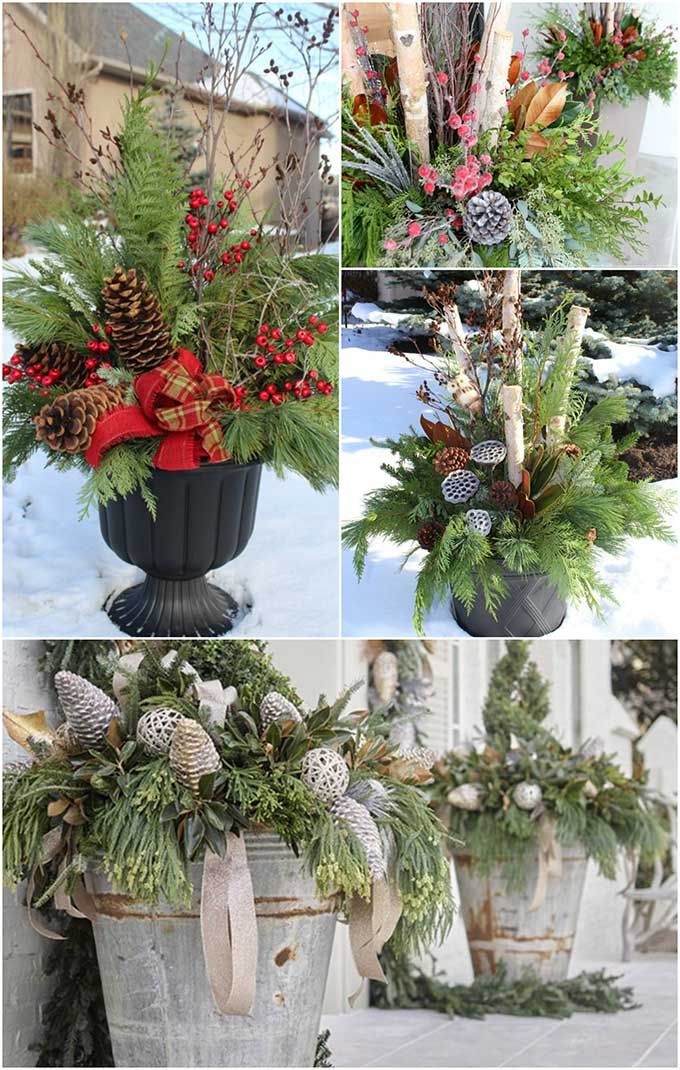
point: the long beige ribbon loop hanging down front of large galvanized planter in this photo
(229, 929)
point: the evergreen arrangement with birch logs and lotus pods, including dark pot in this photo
(512, 490)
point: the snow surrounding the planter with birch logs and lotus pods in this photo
(378, 401)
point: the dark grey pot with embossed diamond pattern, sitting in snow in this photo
(532, 608)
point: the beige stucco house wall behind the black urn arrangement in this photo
(104, 100)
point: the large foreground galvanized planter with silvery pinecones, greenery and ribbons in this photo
(221, 834)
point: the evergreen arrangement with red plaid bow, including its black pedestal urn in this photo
(166, 349)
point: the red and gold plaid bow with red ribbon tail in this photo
(176, 402)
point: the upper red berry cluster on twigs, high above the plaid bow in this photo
(205, 224)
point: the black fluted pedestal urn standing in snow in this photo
(206, 518)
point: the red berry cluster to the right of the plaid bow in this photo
(277, 356)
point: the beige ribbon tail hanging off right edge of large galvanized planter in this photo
(372, 925)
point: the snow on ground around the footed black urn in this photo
(58, 571)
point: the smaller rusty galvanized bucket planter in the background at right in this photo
(501, 927)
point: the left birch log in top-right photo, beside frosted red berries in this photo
(413, 83)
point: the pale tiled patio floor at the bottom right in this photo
(411, 1038)
